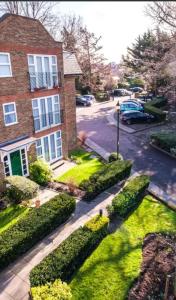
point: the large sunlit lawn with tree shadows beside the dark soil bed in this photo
(109, 272)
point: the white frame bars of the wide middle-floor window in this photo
(47, 112)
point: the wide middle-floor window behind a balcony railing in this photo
(46, 112)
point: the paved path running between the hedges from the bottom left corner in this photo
(14, 280)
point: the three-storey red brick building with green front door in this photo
(37, 96)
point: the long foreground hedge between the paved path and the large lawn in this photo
(71, 253)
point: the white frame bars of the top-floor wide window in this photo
(43, 68)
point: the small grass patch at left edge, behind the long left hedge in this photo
(11, 215)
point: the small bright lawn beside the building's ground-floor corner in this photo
(85, 168)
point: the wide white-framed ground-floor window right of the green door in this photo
(50, 147)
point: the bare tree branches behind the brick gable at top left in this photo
(41, 10)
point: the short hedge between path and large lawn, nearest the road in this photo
(130, 196)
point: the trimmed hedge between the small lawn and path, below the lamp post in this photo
(106, 177)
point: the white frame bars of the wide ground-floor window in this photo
(42, 146)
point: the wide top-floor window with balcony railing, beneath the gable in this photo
(43, 71)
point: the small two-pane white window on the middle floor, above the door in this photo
(10, 114)
